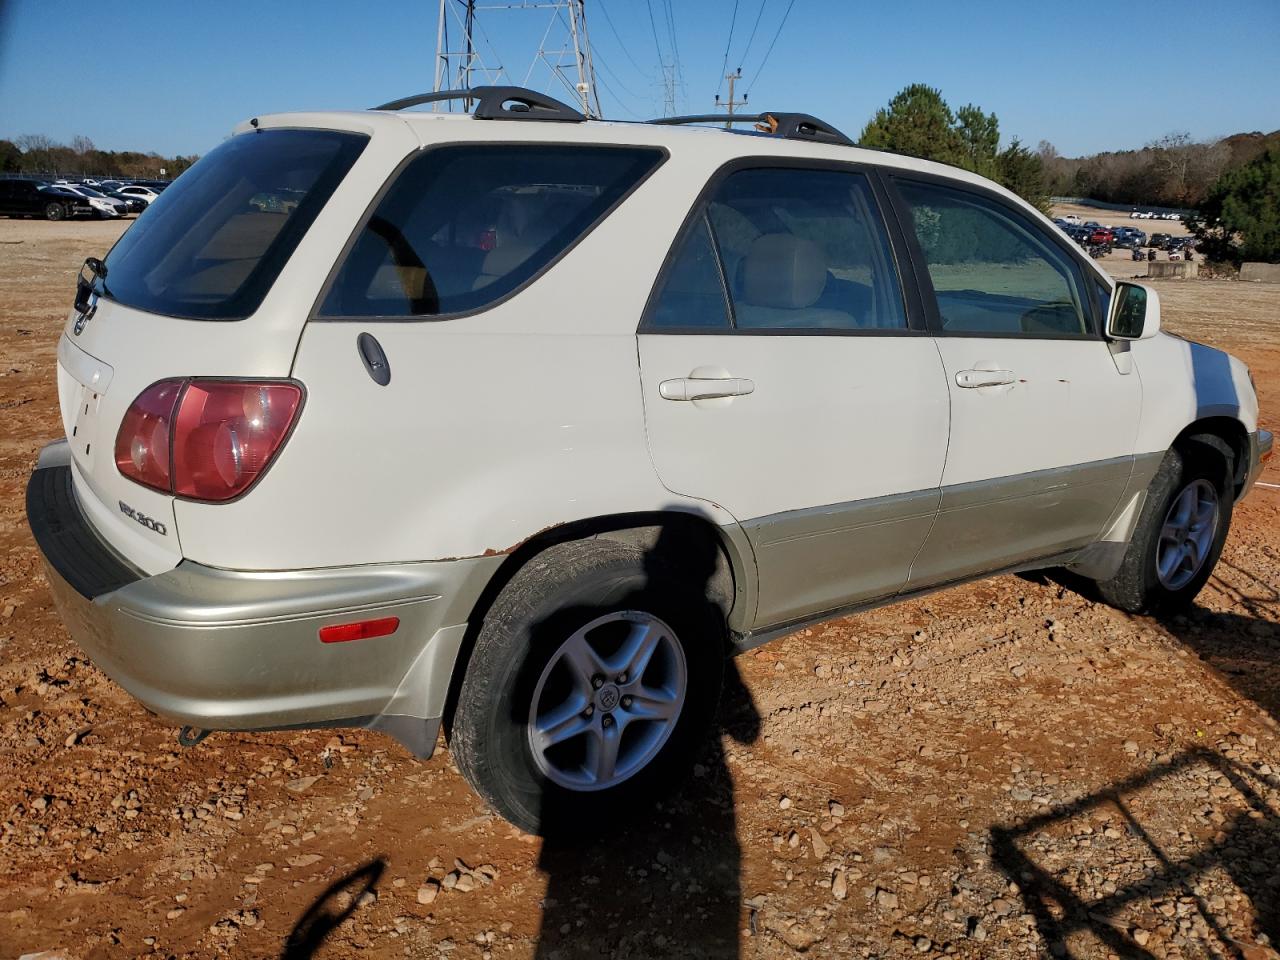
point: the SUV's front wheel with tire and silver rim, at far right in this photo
(1146, 582)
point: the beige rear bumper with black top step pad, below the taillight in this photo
(223, 650)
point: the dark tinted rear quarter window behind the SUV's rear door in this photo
(464, 227)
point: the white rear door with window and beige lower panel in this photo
(789, 380)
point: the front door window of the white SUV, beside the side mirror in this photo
(993, 271)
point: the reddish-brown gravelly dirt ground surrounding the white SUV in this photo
(1007, 770)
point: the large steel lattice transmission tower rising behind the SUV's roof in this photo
(565, 48)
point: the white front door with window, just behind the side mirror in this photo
(1044, 413)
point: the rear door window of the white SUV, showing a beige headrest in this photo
(794, 249)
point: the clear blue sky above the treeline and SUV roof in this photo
(1087, 76)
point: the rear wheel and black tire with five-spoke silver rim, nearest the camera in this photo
(525, 652)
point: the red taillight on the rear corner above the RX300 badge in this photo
(205, 440)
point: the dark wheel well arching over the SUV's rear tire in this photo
(676, 536)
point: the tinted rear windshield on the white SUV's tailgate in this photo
(211, 248)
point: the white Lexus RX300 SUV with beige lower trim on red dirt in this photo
(523, 422)
